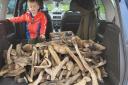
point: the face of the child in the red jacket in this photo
(33, 7)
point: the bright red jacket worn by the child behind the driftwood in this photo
(33, 24)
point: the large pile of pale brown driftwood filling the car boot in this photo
(62, 62)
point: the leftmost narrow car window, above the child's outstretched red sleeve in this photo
(11, 8)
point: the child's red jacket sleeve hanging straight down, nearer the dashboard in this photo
(43, 25)
